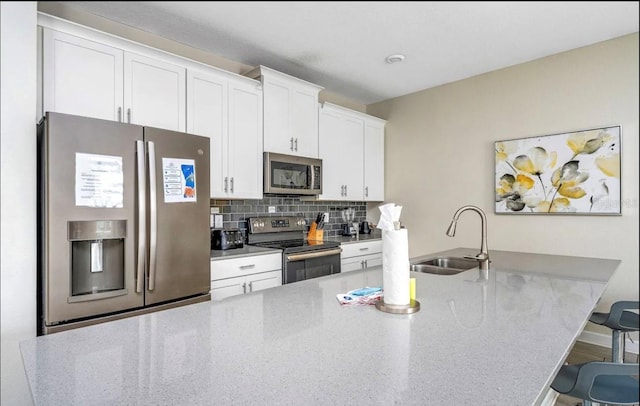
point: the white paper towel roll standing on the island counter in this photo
(395, 267)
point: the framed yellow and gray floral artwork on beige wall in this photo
(570, 173)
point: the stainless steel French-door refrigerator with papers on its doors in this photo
(123, 220)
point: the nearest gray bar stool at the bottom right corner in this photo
(601, 382)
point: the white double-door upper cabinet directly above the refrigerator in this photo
(88, 78)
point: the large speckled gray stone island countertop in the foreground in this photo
(495, 341)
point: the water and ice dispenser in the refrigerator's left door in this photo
(97, 256)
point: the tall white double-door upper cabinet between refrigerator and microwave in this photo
(228, 110)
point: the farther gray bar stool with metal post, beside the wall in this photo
(620, 322)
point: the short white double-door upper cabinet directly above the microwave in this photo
(290, 113)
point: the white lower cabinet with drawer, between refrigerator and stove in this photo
(237, 276)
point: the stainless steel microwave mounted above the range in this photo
(292, 175)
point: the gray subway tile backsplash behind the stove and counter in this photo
(236, 212)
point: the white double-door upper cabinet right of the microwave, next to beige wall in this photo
(351, 146)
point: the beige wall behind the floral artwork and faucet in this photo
(439, 155)
